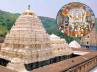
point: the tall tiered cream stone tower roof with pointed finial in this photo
(28, 29)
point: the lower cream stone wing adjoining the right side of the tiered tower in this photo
(60, 43)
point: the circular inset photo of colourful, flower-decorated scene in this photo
(76, 19)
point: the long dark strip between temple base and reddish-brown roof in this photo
(35, 65)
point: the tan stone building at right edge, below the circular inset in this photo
(90, 40)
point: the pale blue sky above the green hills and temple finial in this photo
(48, 8)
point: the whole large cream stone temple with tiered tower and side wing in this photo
(28, 46)
